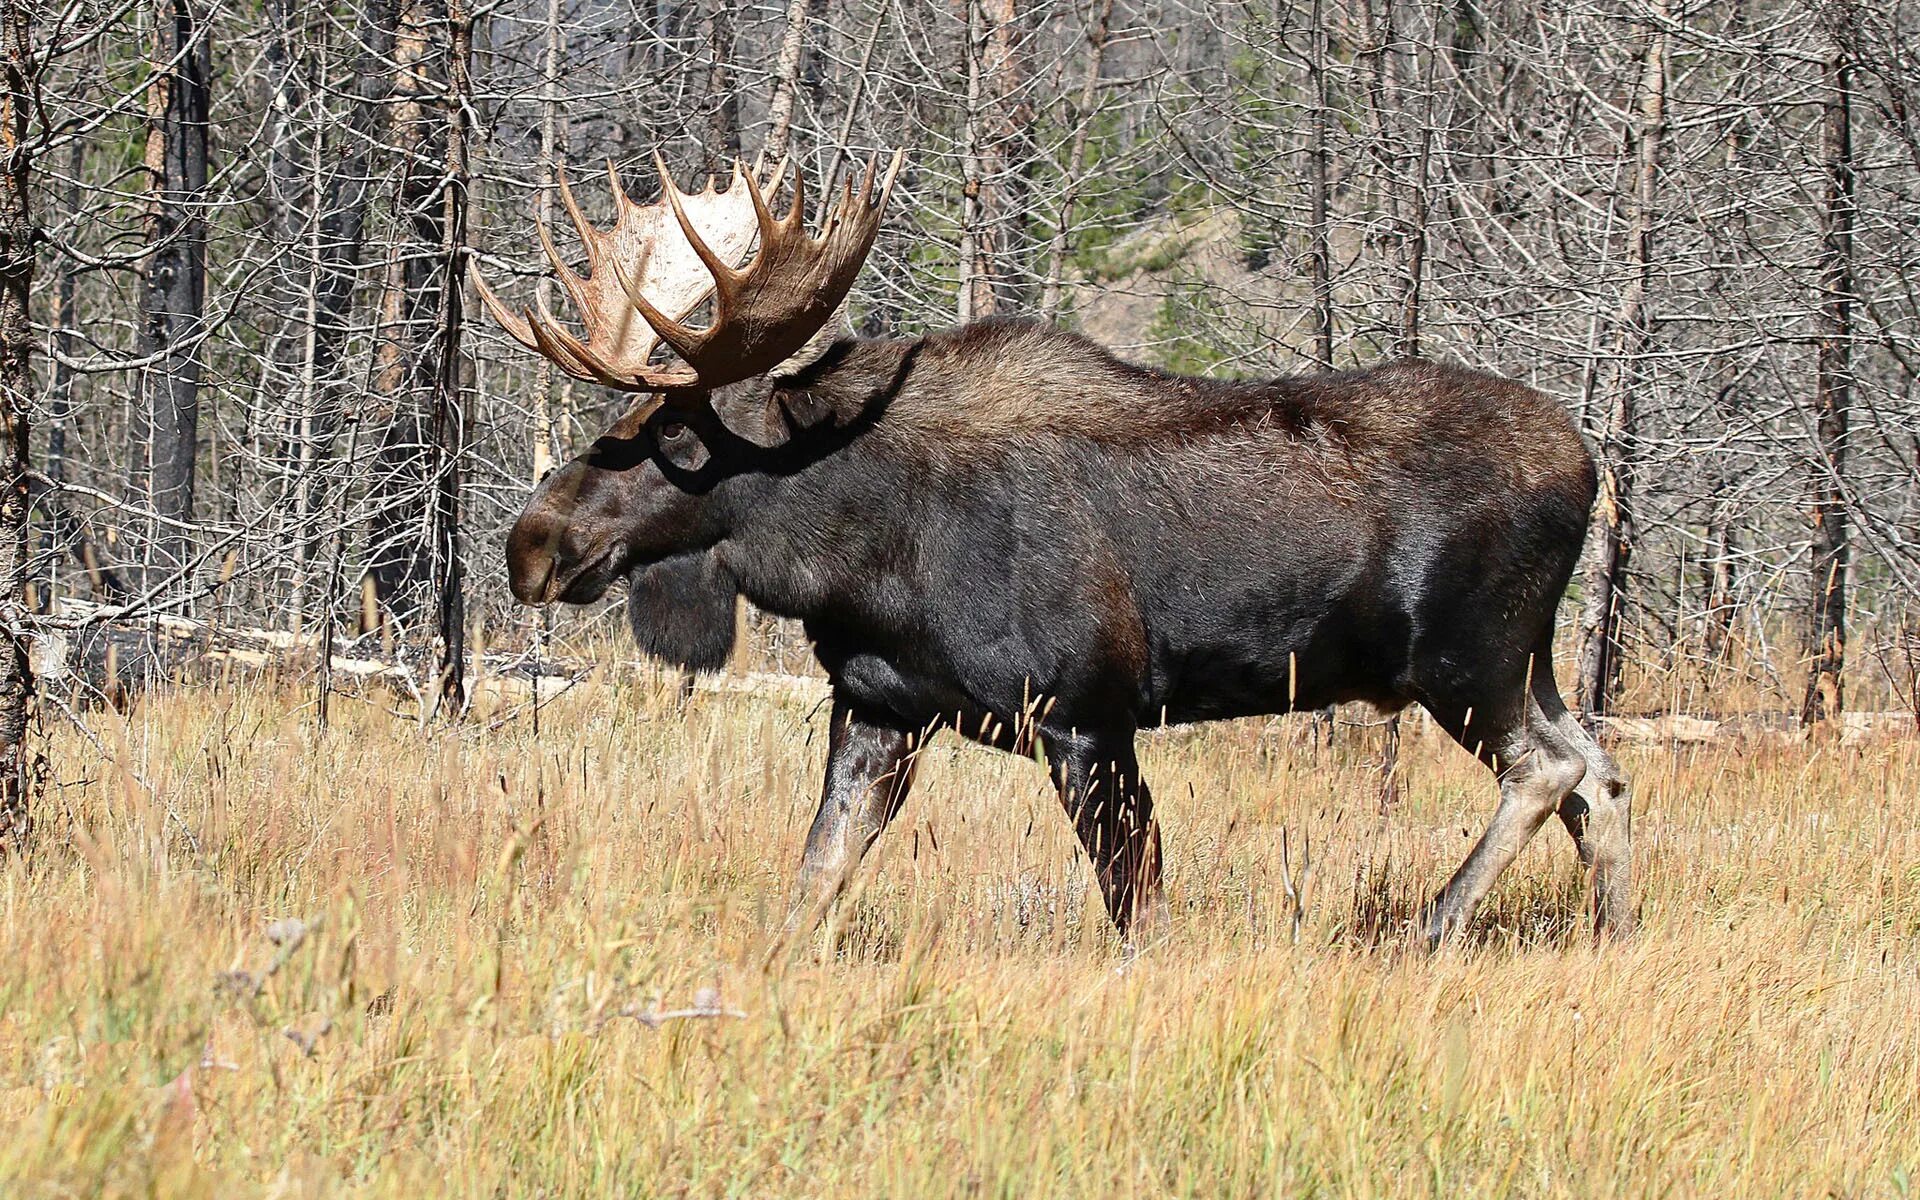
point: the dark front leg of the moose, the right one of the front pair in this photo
(1113, 813)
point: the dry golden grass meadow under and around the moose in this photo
(494, 913)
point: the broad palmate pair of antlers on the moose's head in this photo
(763, 312)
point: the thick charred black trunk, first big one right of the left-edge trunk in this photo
(166, 418)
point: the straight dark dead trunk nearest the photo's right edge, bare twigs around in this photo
(1833, 389)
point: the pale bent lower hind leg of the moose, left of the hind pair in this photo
(1539, 769)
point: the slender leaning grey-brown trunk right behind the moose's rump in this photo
(1606, 581)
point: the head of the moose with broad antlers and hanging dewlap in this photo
(636, 504)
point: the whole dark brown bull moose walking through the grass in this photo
(1009, 533)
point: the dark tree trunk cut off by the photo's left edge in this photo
(16, 406)
